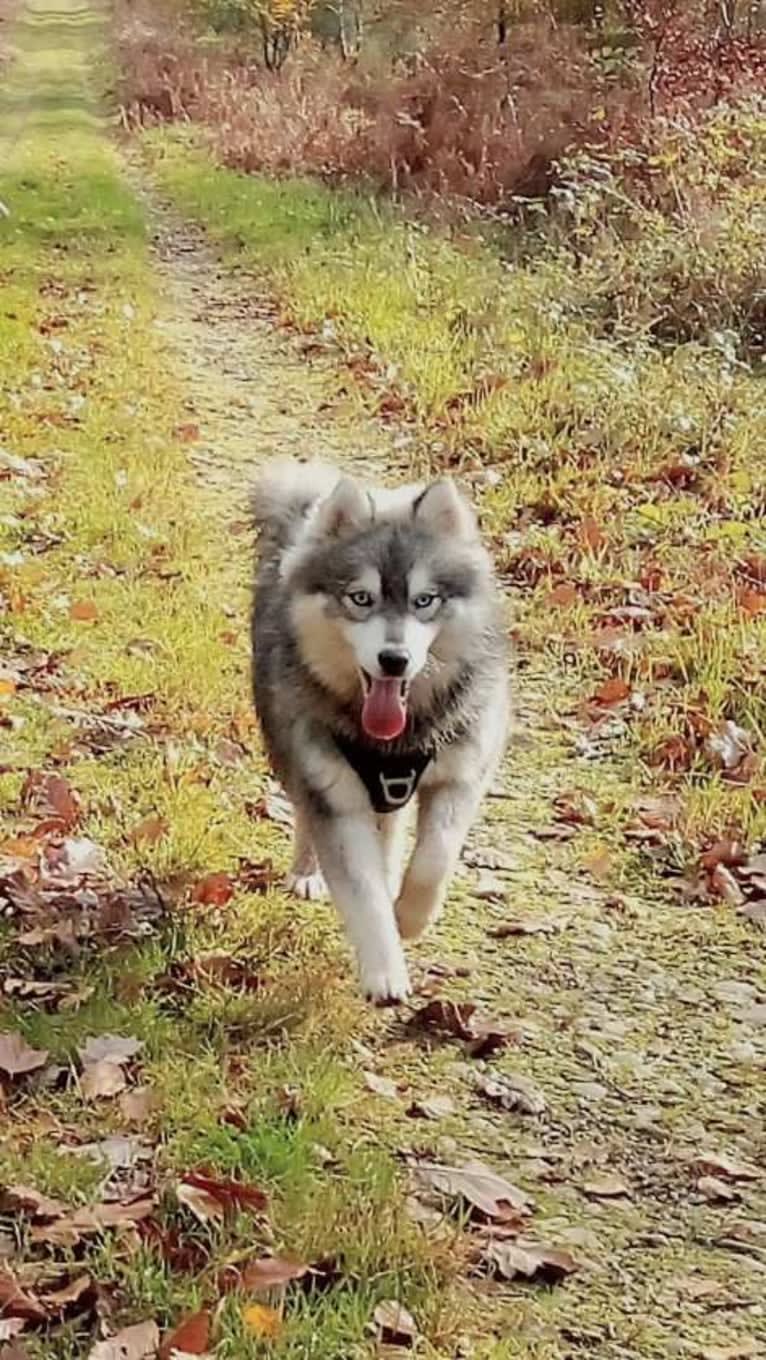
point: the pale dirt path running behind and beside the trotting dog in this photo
(633, 1021)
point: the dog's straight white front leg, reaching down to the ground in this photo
(352, 859)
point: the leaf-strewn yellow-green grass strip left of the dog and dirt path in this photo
(118, 524)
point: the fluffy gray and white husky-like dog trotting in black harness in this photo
(380, 673)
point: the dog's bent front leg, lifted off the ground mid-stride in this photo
(444, 819)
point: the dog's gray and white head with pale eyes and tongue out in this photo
(387, 595)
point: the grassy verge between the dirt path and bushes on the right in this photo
(606, 386)
